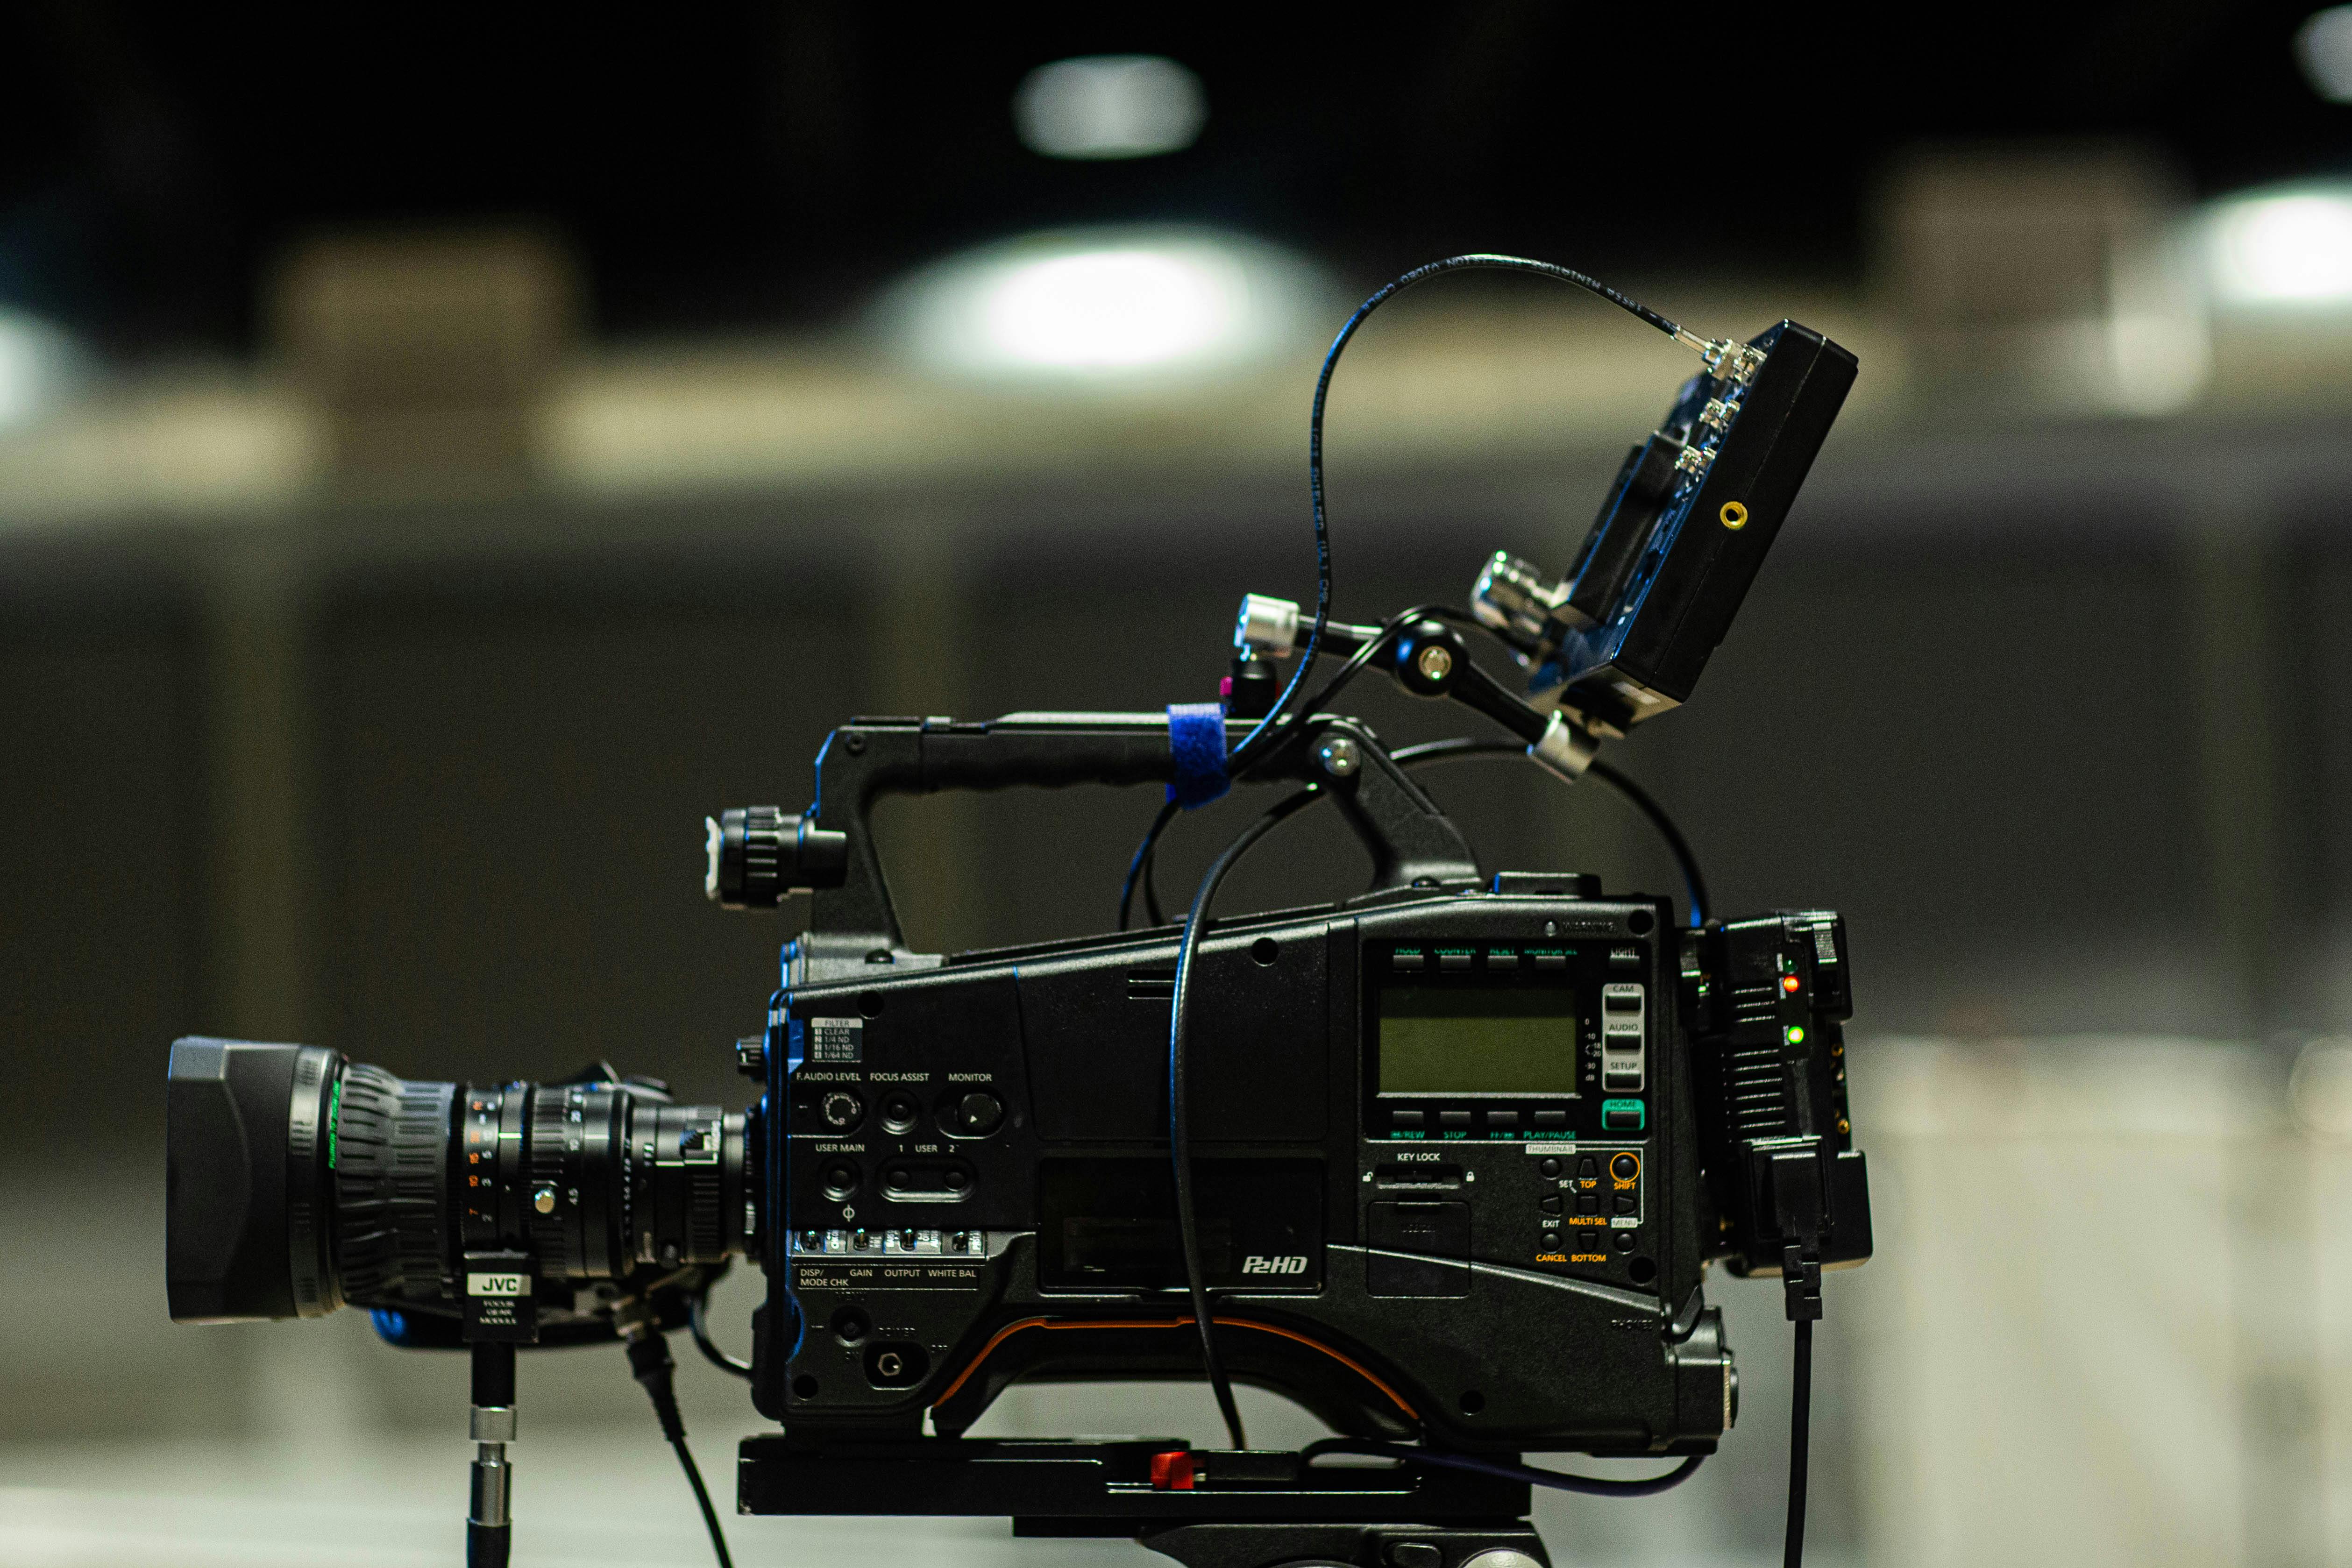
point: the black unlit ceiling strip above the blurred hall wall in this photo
(740, 166)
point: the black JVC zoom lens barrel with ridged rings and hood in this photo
(302, 1181)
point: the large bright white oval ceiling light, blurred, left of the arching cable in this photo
(1107, 304)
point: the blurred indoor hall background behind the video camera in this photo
(441, 460)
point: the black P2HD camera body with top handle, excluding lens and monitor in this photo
(1464, 1146)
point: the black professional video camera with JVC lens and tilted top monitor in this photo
(1445, 1162)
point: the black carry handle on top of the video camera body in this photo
(761, 857)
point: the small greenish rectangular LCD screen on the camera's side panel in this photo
(1478, 1043)
